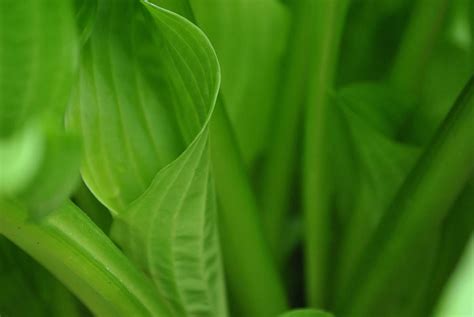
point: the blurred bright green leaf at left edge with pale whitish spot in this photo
(38, 58)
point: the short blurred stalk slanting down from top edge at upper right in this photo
(417, 44)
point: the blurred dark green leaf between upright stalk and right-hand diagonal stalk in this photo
(370, 163)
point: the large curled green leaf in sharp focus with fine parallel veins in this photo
(148, 85)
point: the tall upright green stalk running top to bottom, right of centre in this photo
(329, 17)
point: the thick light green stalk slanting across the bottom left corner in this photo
(83, 258)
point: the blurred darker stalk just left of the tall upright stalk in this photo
(279, 168)
